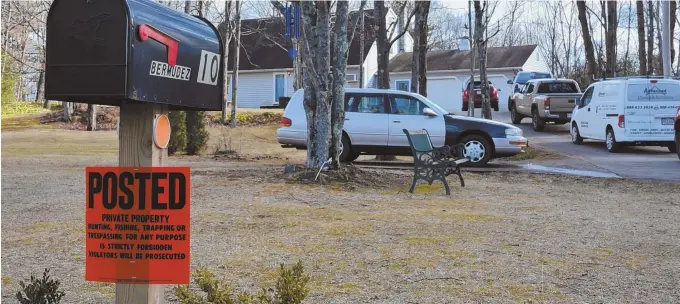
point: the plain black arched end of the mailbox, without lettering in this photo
(86, 51)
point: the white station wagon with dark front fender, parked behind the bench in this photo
(375, 119)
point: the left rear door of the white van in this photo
(637, 110)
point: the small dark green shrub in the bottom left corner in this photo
(40, 291)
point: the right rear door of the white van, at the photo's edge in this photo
(664, 99)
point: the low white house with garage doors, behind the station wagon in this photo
(449, 70)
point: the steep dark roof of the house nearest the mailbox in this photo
(263, 43)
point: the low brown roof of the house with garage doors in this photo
(497, 57)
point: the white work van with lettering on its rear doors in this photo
(627, 111)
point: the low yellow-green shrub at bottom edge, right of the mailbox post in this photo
(291, 288)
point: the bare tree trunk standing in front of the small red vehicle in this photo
(480, 42)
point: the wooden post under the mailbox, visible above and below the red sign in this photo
(136, 149)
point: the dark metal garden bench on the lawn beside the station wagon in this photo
(432, 163)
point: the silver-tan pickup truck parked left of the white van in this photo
(544, 100)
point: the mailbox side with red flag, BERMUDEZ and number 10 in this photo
(176, 59)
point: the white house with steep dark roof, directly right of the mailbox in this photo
(266, 70)
